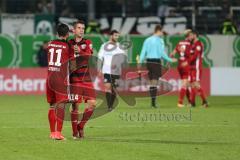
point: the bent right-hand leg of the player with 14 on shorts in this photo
(86, 116)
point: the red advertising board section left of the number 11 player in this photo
(27, 81)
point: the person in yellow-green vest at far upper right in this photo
(228, 27)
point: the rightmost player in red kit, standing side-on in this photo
(196, 70)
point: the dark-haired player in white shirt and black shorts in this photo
(112, 56)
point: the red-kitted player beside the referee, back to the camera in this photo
(183, 49)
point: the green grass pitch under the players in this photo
(210, 134)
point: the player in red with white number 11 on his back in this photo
(58, 56)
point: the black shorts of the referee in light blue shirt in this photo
(154, 69)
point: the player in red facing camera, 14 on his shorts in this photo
(81, 84)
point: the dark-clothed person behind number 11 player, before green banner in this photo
(42, 55)
